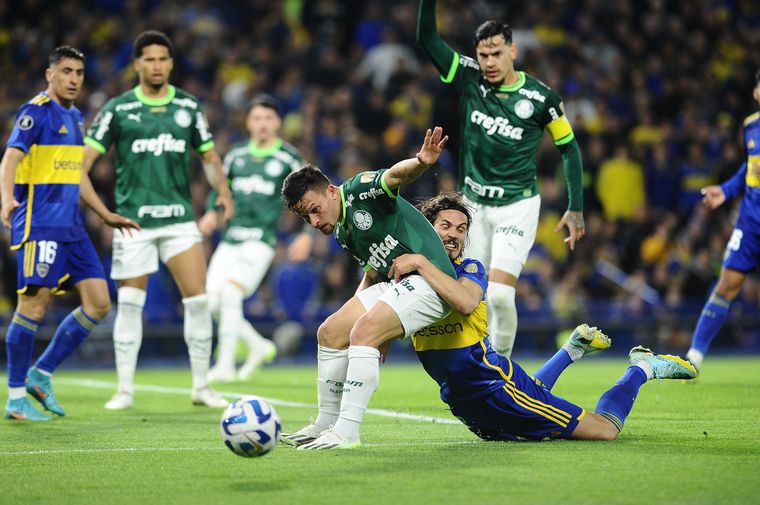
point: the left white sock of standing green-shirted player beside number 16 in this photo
(127, 335)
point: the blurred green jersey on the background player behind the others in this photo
(256, 177)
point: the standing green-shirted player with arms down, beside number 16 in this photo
(154, 128)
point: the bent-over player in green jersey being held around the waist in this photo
(371, 221)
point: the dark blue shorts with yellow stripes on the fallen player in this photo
(519, 409)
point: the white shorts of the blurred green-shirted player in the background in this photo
(246, 263)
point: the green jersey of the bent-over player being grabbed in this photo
(377, 226)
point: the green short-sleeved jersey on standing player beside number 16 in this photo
(154, 139)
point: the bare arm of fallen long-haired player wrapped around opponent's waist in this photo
(463, 295)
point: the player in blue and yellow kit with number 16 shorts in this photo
(41, 176)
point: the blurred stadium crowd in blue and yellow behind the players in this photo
(656, 92)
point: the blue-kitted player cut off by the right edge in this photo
(743, 248)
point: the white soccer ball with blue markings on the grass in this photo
(250, 427)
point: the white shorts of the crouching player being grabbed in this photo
(415, 303)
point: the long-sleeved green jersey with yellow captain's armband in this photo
(501, 126)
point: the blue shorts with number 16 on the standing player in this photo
(57, 265)
